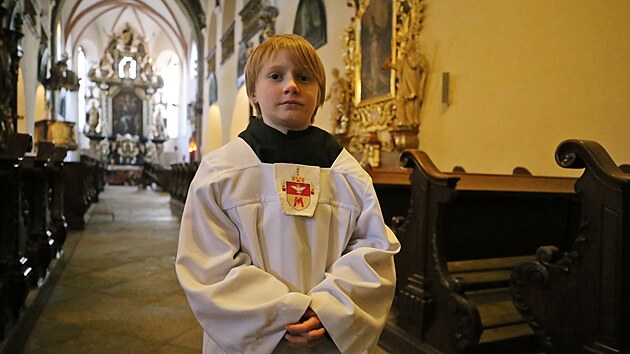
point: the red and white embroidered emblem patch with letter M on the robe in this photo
(298, 188)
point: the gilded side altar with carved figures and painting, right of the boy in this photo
(380, 91)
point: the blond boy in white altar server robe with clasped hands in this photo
(282, 244)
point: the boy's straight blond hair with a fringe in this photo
(299, 50)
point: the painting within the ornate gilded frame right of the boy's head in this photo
(375, 74)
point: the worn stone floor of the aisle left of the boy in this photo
(118, 292)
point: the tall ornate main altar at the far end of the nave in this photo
(127, 124)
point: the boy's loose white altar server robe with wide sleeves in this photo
(248, 270)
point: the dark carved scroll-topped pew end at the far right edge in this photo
(576, 297)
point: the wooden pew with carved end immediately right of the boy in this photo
(462, 236)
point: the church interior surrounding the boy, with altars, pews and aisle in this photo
(495, 133)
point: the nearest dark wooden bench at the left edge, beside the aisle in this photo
(32, 232)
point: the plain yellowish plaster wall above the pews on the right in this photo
(526, 75)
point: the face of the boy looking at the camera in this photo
(286, 93)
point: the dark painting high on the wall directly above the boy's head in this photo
(310, 22)
